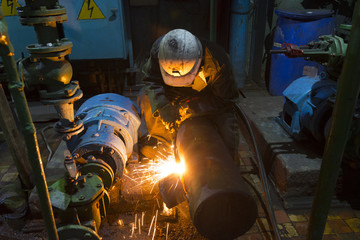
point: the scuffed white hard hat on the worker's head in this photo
(180, 54)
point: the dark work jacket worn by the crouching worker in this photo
(217, 96)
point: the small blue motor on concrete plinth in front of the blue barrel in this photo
(306, 107)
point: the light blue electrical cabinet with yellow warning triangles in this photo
(93, 38)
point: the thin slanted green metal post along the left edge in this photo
(16, 88)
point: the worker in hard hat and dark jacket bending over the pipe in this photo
(187, 78)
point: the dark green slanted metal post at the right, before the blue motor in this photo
(347, 95)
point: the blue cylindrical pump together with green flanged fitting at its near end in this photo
(98, 155)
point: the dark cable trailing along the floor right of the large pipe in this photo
(260, 165)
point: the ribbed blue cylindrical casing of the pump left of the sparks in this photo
(111, 122)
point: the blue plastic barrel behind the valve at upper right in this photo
(299, 28)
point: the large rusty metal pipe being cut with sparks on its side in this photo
(220, 204)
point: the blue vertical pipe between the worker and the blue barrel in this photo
(238, 38)
